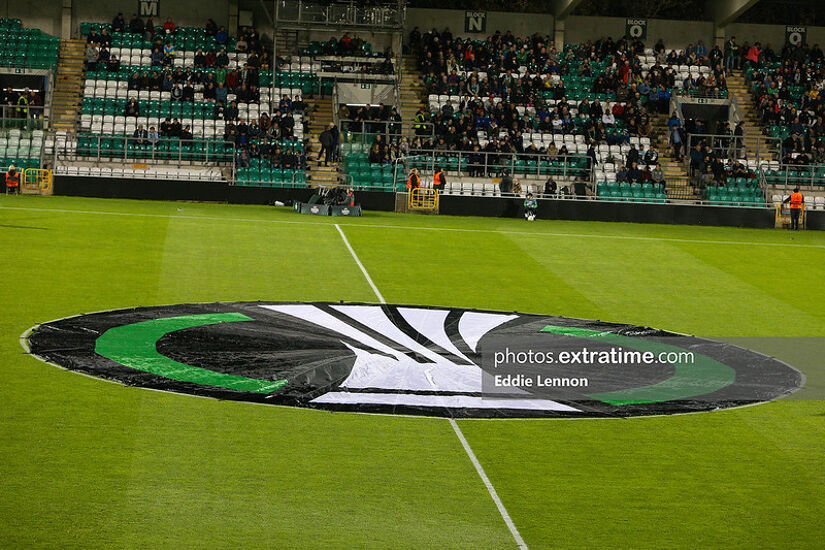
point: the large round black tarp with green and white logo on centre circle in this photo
(412, 360)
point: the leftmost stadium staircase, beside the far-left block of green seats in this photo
(68, 90)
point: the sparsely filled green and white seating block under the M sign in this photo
(205, 95)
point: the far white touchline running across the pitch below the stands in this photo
(424, 228)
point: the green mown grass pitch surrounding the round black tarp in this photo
(85, 463)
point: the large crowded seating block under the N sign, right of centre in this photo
(516, 96)
